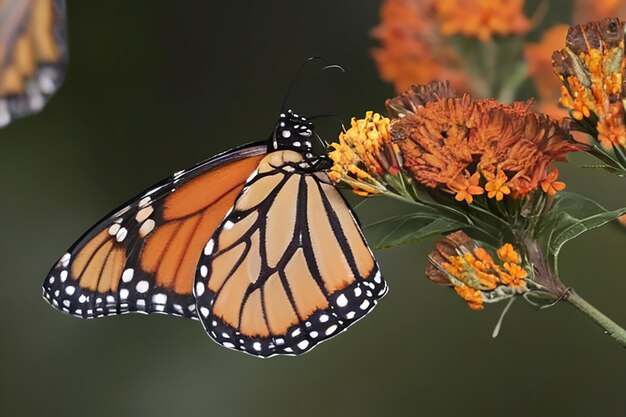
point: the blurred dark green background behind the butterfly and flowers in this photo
(155, 86)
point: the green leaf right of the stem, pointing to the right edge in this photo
(571, 216)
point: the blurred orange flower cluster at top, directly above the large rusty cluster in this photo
(412, 50)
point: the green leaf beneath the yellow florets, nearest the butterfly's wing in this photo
(409, 228)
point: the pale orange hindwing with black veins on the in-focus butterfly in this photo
(288, 267)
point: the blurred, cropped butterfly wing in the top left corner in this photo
(33, 55)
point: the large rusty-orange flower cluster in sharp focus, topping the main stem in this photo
(472, 147)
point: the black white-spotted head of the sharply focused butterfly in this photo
(292, 132)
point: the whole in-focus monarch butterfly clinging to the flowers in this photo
(256, 243)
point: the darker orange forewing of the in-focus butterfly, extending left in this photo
(143, 256)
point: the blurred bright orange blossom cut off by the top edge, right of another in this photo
(482, 18)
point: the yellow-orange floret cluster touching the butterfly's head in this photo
(364, 155)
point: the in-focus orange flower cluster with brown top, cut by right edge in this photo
(591, 67)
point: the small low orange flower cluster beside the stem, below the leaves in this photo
(459, 262)
